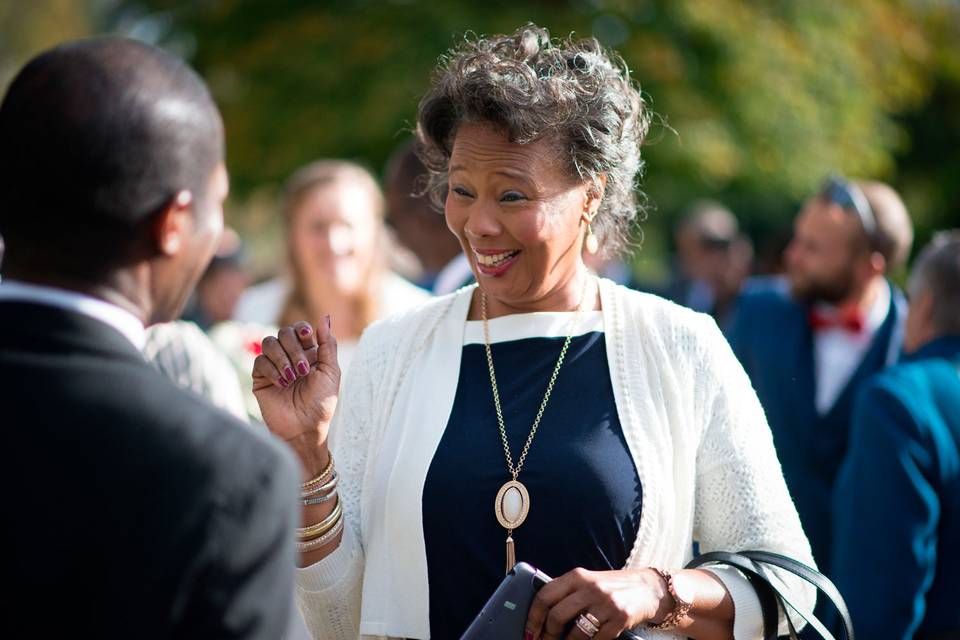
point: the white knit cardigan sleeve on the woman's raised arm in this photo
(328, 593)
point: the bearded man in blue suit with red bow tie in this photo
(808, 346)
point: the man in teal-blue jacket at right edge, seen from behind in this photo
(896, 556)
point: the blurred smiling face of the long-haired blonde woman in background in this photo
(334, 236)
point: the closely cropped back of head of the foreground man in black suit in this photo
(96, 138)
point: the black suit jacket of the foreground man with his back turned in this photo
(132, 509)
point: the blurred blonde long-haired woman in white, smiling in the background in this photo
(337, 253)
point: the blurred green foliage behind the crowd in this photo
(757, 101)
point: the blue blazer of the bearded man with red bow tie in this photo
(773, 340)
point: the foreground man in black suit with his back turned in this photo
(131, 509)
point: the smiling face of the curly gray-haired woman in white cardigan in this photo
(519, 218)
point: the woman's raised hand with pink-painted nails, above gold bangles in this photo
(296, 381)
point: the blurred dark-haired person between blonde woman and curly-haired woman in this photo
(420, 227)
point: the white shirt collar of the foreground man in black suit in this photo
(120, 319)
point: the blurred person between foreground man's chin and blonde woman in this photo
(219, 290)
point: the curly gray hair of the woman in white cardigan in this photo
(533, 87)
